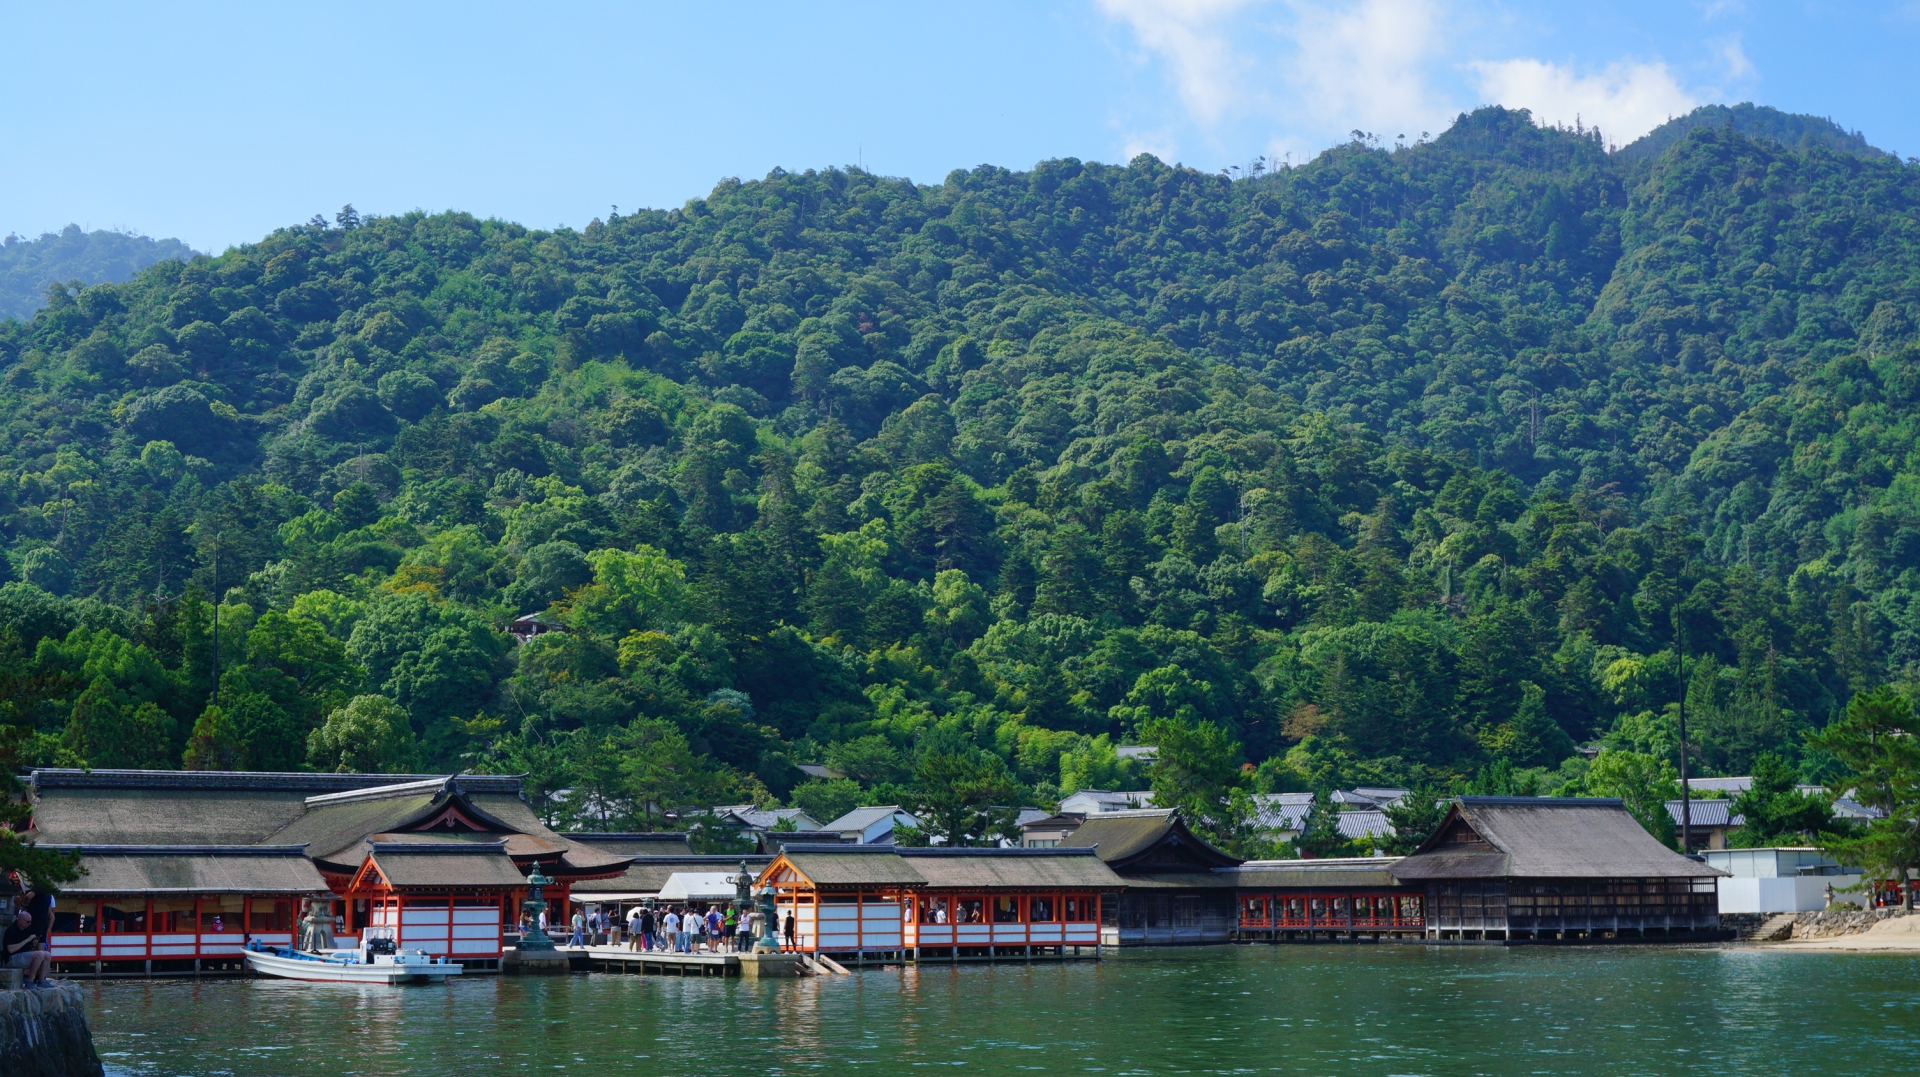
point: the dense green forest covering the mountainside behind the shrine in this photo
(1410, 466)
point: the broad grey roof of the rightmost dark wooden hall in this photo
(1545, 838)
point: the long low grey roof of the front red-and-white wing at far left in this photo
(195, 871)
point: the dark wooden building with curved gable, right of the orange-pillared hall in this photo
(1174, 894)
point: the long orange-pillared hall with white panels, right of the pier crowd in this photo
(900, 903)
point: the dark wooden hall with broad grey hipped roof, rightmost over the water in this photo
(1535, 869)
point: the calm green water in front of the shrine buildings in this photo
(1339, 1011)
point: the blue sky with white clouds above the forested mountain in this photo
(220, 122)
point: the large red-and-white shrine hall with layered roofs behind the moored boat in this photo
(183, 869)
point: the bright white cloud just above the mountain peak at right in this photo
(1625, 101)
